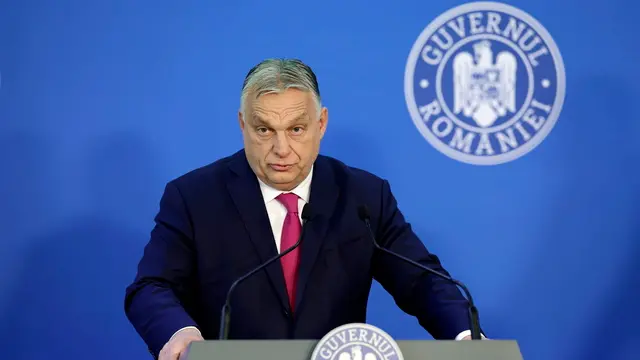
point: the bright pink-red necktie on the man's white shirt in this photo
(290, 234)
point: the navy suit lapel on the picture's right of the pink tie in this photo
(323, 196)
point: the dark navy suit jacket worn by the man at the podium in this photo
(213, 227)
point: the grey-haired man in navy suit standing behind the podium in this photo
(220, 221)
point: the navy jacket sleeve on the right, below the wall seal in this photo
(437, 304)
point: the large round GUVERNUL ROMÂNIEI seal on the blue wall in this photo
(484, 83)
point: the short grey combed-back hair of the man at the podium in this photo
(278, 75)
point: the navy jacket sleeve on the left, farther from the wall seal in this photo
(155, 301)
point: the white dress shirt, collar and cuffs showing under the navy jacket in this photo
(277, 212)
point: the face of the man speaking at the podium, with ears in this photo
(282, 136)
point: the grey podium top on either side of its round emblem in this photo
(303, 349)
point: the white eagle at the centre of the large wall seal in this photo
(484, 91)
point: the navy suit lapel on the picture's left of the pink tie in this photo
(245, 192)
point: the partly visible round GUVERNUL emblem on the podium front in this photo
(357, 341)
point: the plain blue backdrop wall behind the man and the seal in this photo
(103, 102)
